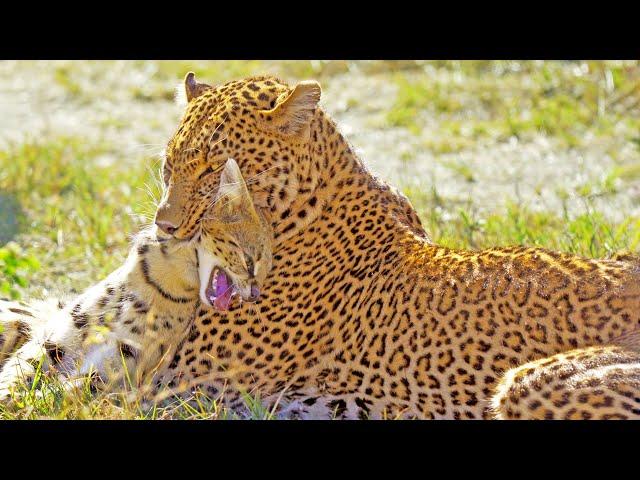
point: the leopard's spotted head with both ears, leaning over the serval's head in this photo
(261, 122)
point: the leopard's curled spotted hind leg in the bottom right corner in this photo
(590, 383)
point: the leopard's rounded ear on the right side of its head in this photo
(293, 112)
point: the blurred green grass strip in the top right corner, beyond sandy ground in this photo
(521, 98)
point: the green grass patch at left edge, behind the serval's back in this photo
(77, 212)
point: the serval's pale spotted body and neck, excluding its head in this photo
(135, 309)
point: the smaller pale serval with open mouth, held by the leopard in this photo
(127, 325)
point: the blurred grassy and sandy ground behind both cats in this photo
(490, 153)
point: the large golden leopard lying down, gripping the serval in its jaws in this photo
(363, 315)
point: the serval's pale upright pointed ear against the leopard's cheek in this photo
(233, 197)
